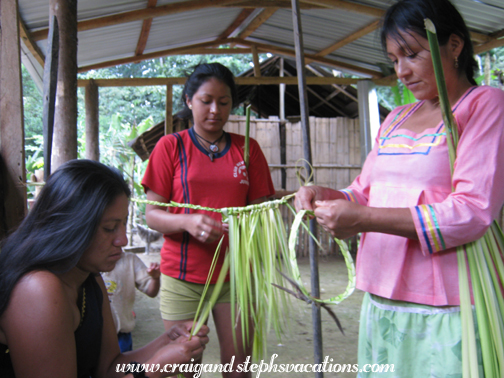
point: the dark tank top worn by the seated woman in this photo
(87, 336)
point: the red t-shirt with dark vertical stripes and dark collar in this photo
(180, 170)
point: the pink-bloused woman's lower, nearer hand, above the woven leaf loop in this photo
(341, 218)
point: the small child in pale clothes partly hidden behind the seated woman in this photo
(129, 272)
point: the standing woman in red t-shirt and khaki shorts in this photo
(204, 166)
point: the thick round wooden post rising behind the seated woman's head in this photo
(65, 119)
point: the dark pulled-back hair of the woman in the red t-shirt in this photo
(202, 73)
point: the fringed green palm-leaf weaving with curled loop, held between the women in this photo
(259, 252)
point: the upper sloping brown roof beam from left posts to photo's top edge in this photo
(140, 14)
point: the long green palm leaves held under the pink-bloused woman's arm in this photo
(484, 263)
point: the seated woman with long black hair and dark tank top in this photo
(55, 317)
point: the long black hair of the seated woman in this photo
(62, 223)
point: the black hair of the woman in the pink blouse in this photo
(409, 15)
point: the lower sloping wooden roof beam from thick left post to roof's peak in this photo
(158, 54)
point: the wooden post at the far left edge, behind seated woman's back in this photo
(11, 121)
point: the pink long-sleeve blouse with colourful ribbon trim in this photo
(411, 170)
